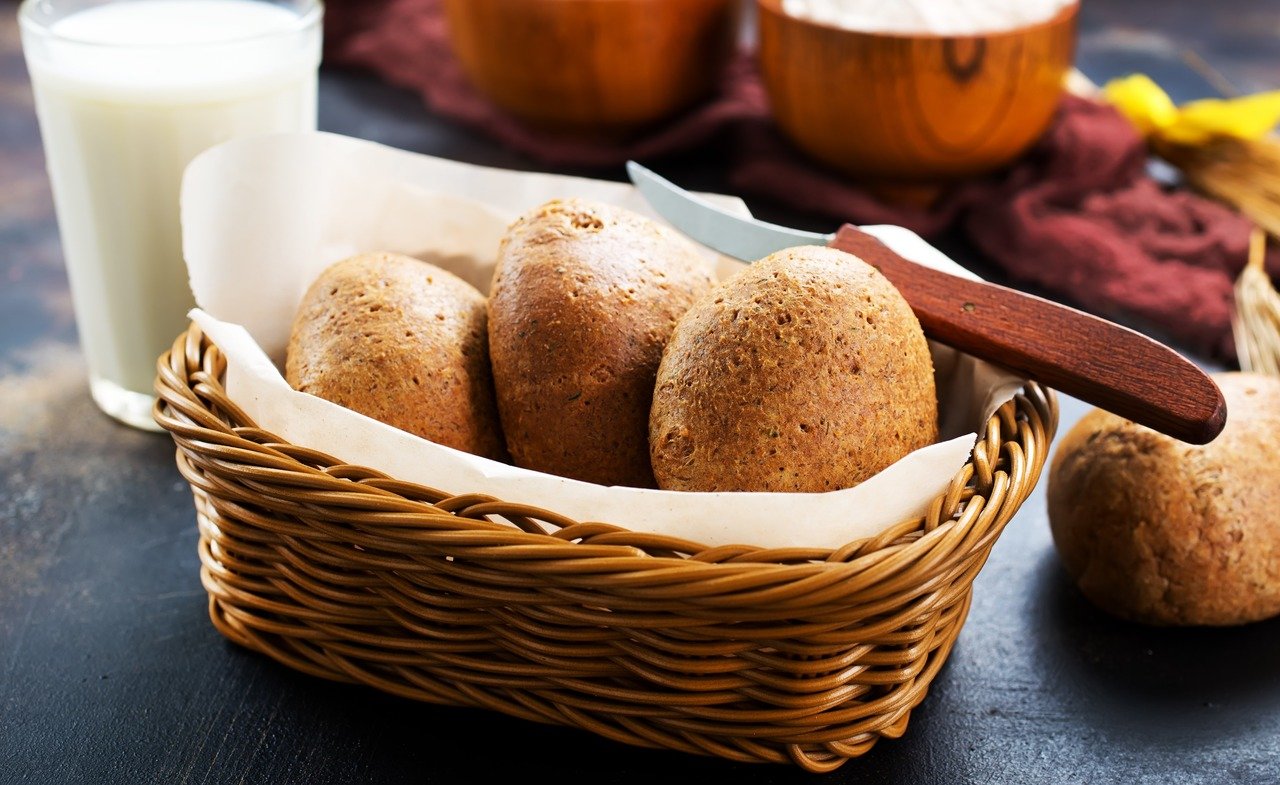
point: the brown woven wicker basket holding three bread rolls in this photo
(794, 655)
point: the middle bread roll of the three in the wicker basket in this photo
(583, 302)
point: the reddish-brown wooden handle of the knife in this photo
(1104, 364)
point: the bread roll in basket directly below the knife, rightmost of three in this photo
(806, 372)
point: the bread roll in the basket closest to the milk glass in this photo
(404, 343)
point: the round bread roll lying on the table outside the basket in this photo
(1167, 533)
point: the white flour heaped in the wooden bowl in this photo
(934, 17)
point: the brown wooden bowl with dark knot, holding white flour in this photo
(902, 109)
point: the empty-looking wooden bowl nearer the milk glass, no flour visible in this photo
(593, 67)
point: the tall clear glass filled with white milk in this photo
(127, 93)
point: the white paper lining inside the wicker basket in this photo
(264, 216)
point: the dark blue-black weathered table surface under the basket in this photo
(112, 673)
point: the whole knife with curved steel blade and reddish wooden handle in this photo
(1095, 360)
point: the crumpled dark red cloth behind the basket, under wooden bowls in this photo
(1077, 216)
